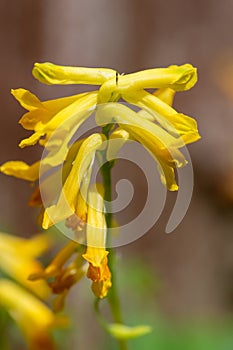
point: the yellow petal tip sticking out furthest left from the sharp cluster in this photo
(21, 170)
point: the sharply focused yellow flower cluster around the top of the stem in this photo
(157, 126)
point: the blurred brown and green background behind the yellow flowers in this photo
(182, 283)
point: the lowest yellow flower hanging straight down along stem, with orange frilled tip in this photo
(96, 253)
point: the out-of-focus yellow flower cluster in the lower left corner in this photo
(22, 298)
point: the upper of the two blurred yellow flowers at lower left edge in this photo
(18, 260)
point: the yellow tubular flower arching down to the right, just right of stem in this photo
(163, 146)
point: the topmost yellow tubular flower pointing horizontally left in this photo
(49, 73)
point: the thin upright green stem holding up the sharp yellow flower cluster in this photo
(113, 297)
